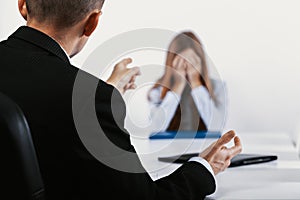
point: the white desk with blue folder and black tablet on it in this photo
(275, 180)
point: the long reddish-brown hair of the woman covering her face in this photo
(183, 41)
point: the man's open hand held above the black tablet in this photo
(218, 155)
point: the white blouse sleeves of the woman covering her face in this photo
(162, 111)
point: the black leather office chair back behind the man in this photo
(20, 173)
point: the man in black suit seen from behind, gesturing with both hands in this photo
(36, 72)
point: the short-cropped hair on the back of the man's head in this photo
(62, 13)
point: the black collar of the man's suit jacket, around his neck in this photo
(41, 40)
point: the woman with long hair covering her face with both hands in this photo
(185, 97)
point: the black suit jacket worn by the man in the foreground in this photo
(36, 73)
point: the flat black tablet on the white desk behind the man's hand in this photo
(238, 160)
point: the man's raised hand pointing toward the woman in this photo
(122, 77)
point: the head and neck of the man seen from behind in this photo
(75, 19)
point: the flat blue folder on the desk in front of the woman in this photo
(185, 134)
